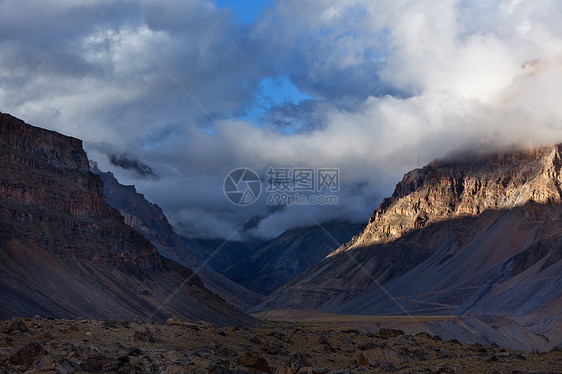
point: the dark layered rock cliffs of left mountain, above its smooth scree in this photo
(45, 183)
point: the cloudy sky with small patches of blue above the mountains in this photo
(171, 96)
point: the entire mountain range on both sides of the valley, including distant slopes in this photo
(474, 235)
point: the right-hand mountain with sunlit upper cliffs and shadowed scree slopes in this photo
(472, 235)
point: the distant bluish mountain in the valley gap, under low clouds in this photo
(279, 260)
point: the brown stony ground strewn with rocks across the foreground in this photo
(43, 345)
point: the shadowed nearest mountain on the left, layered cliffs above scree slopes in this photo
(64, 252)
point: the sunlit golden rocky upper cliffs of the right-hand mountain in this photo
(465, 185)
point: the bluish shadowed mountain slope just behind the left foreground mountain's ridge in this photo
(149, 220)
